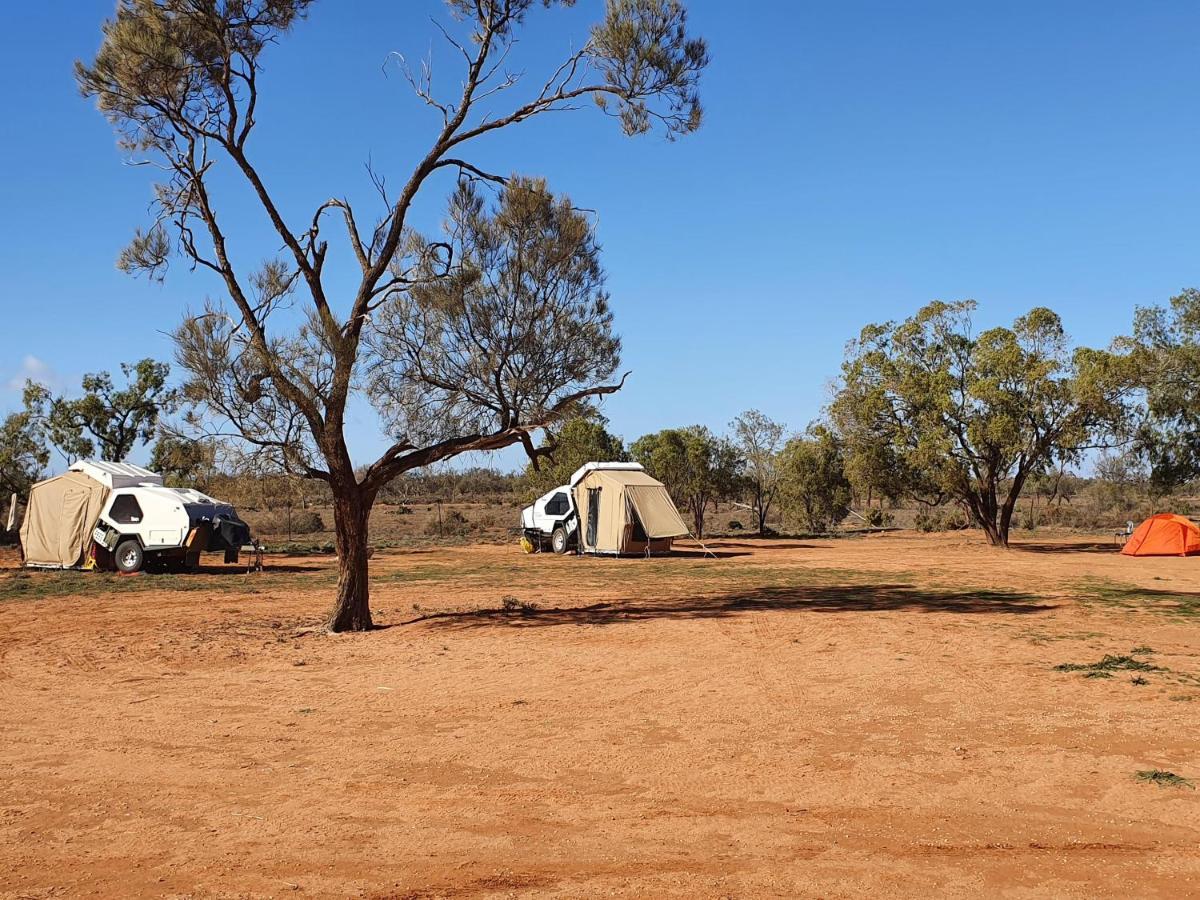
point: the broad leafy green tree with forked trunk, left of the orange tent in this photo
(974, 417)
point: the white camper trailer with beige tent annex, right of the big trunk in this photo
(610, 508)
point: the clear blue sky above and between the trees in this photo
(859, 160)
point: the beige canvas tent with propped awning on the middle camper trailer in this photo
(625, 512)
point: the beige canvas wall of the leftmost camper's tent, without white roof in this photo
(59, 518)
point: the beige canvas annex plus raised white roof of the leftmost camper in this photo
(63, 511)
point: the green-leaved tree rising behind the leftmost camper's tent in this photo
(106, 421)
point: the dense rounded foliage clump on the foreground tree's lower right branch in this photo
(518, 333)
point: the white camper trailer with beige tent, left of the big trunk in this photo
(122, 517)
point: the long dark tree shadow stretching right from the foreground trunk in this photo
(827, 598)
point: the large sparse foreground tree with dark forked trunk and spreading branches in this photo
(181, 82)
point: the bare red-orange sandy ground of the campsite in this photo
(821, 718)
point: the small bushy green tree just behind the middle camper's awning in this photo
(697, 467)
